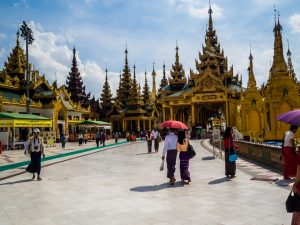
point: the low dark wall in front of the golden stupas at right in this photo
(265, 154)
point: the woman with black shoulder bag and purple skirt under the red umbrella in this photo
(182, 148)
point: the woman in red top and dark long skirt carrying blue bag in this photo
(229, 146)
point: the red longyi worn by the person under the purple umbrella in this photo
(291, 160)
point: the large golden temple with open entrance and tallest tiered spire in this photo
(210, 92)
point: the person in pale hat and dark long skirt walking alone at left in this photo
(36, 150)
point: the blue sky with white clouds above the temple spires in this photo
(101, 29)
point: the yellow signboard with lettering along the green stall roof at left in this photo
(25, 123)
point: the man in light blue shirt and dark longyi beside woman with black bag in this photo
(171, 152)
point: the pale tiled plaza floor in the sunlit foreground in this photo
(123, 185)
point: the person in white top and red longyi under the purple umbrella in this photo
(290, 155)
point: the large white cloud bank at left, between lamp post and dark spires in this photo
(51, 55)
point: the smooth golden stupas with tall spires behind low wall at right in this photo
(258, 109)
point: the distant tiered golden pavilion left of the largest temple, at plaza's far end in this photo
(132, 111)
